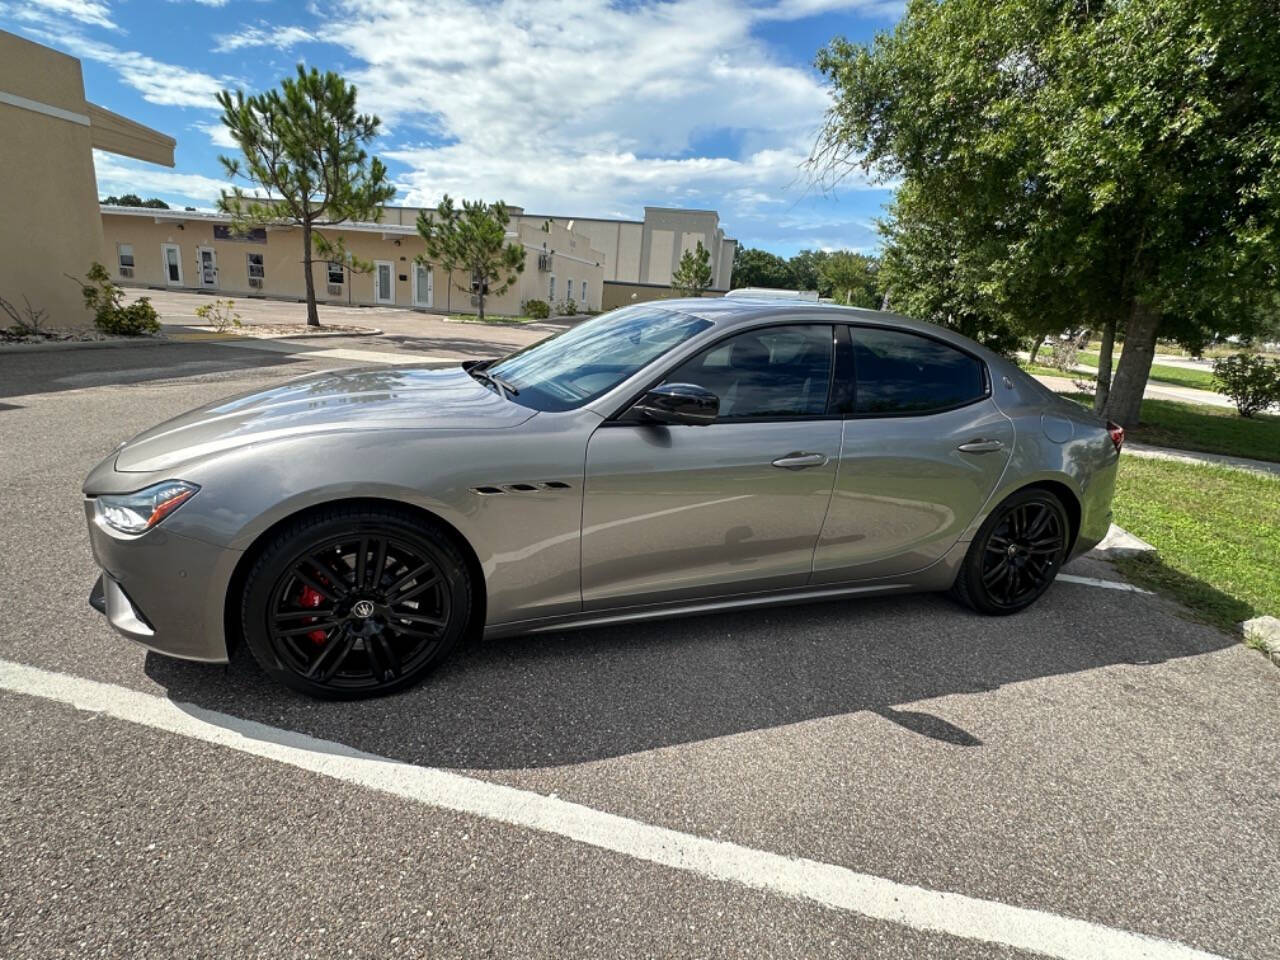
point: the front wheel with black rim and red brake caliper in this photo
(323, 623)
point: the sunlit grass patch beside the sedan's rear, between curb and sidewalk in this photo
(1218, 533)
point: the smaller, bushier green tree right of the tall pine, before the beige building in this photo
(473, 240)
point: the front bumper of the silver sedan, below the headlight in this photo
(163, 591)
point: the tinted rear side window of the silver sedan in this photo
(900, 373)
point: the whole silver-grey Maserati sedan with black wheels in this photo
(662, 460)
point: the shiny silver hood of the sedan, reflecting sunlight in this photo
(378, 399)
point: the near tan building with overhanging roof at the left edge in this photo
(49, 223)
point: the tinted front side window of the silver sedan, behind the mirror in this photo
(780, 372)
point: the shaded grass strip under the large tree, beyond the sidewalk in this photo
(1196, 427)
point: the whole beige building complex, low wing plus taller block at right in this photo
(596, 264)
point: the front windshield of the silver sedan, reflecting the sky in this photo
(582, 364)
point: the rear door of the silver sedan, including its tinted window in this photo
(924, 447)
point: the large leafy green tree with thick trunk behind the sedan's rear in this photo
(1117, 161)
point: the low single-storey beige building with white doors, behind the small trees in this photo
(189, 250)
